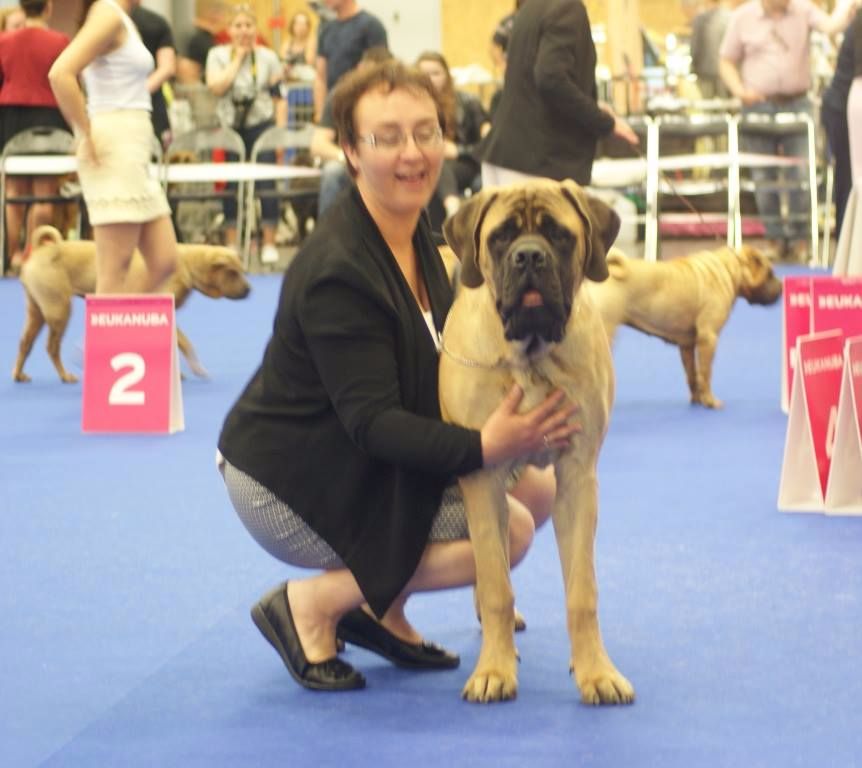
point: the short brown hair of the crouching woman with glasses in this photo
(387, 76)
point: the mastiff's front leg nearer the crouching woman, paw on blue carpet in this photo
(495, 676)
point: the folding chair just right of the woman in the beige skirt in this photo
(207, 145)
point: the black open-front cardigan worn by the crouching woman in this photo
(342, 419)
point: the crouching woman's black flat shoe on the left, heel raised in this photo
(273, 618)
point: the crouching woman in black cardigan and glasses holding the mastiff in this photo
(335, 455)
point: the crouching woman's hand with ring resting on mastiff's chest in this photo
(509, 435)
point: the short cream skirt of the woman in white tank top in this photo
(119, 188)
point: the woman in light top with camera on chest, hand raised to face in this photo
(245, 76)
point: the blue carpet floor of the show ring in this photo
(126, 581)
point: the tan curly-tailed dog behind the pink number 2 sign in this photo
(57, 270)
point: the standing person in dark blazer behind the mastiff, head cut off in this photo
(549, 121)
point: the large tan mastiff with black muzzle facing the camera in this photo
(519, 316)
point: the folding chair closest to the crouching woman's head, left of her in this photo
(284, 146)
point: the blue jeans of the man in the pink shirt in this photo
(797, 225)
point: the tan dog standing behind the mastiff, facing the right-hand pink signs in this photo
(686, 302)
